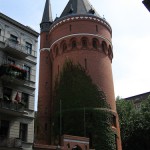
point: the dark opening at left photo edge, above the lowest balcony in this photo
(4, 129)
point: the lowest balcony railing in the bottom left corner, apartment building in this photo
(10, 142)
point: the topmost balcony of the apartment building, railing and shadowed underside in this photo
(14, 47)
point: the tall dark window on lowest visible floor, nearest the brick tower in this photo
(23, 132)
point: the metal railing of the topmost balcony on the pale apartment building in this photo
(16, 45)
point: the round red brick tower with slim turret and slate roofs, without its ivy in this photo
(80, 34)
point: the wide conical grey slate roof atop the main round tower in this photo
(78, 7)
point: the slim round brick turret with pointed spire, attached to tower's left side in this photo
(45, 84)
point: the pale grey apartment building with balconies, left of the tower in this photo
(18, 58)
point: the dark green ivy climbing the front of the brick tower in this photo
(82, 106)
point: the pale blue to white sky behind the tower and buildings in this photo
(130, 22)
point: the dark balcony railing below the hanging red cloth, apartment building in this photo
(9, 105)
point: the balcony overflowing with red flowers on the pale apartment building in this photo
(12, 72)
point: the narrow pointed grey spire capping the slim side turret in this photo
(47, 15)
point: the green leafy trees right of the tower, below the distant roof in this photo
(134, 124)
